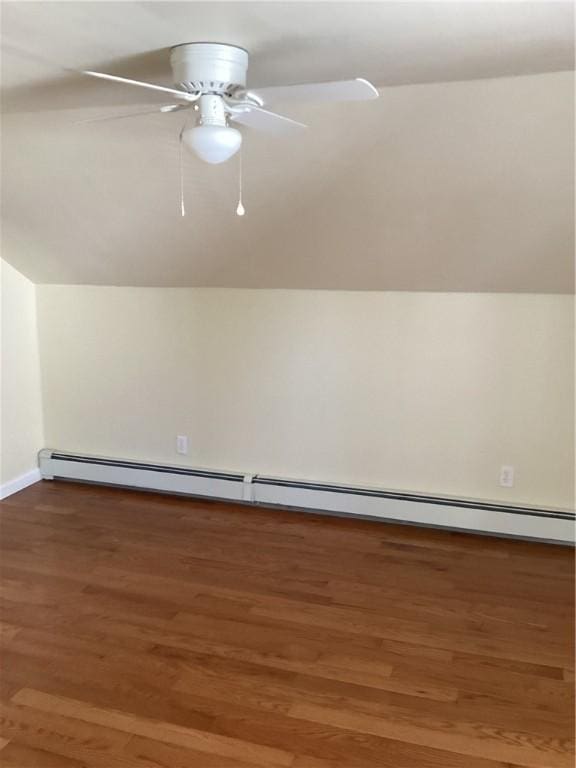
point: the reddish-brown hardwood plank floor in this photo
(149, 631)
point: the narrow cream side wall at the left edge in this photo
(21, 406)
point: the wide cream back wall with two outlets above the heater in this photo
(427, 392)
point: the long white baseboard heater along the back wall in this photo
(446, 512)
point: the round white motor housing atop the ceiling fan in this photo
(209, 67)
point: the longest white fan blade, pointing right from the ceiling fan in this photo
(340, 90)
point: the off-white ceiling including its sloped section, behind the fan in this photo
(461, 186)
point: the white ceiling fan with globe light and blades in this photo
(210, 79)
